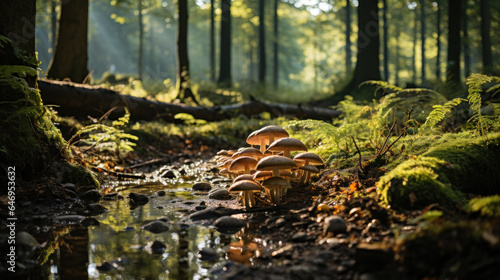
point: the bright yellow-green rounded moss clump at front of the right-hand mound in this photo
(418, 182)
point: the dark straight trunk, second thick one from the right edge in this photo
(453, 60)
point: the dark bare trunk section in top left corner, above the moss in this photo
(18, 24)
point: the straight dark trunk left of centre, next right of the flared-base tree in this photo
(225, 45)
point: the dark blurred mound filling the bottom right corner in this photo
(450, 250)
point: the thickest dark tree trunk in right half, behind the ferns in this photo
(368, 62)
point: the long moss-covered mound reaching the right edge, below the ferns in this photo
(441, 175)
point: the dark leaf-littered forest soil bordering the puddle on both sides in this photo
(293, 242)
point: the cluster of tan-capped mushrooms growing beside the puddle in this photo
(270, 168)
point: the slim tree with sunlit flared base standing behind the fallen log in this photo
(183, 79)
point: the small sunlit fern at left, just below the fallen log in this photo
(105, 137)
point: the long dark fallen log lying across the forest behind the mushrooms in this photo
(81, 101)
